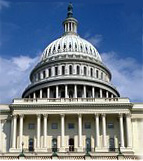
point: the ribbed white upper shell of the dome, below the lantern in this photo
(70, 43)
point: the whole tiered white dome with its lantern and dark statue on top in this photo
(70, 67)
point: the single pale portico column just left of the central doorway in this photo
(62, 132)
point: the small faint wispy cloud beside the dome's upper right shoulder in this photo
(95, 40)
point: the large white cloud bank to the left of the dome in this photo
(14, 74)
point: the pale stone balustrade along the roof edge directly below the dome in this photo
(71, 100)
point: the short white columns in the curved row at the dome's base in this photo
(75, 92)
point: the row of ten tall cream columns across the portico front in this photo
(97, 130)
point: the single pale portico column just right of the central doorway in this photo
(80, 131)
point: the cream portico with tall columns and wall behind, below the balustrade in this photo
(97, 119)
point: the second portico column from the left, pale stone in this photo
(21, 131)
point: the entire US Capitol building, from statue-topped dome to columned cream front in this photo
(71, 110)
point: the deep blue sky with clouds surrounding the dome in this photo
(113, 26)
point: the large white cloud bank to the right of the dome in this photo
(127, 75)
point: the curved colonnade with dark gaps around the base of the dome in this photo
(85, 92)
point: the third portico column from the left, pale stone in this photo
(38, 130)
